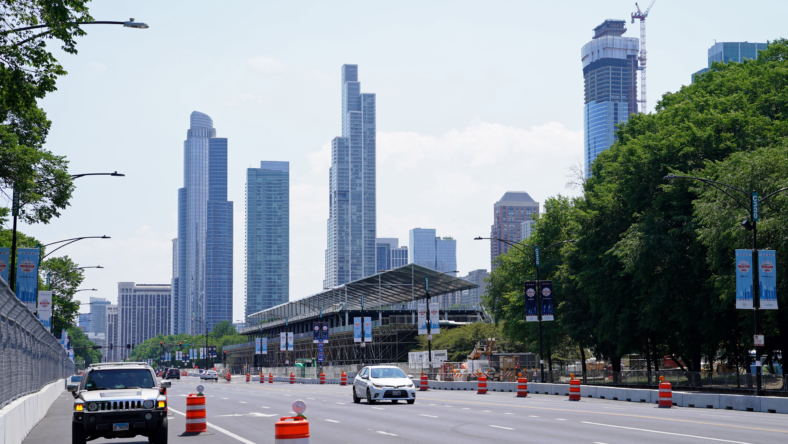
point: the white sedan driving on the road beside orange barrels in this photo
(383, 383)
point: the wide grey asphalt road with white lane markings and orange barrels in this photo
(246, 412)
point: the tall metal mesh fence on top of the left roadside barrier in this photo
(30, 357)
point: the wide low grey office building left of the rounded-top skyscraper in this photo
(143, 311)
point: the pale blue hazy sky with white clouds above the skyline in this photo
(474, 98)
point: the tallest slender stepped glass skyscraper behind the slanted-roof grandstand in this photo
(350, 253)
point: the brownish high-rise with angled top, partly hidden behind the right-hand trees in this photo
(514, 208)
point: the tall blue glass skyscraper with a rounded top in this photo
(205, 232)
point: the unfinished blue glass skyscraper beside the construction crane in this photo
(610, 75)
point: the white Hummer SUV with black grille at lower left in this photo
(119, 400)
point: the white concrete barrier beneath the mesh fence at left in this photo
(18, 418)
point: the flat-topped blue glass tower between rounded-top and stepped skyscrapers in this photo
(267, 236)
